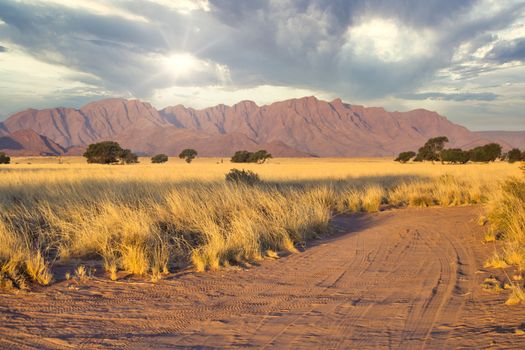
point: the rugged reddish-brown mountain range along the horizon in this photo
(292, 128)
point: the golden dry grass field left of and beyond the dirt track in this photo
(149, 219)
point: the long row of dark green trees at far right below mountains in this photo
(434, 150)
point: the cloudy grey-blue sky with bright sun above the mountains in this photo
(464, 59)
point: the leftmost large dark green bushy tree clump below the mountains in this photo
(109, 152)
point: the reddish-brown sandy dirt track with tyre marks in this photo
(398, 279)
